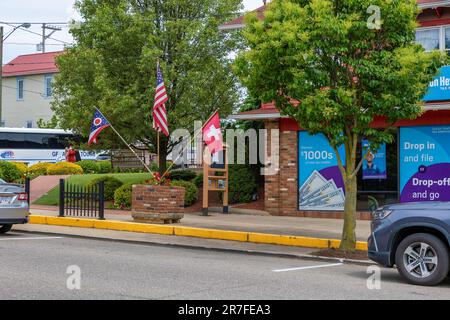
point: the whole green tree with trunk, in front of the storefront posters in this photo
(343, 70)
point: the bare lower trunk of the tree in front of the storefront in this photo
(348, 242)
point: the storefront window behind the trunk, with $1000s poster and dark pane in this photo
(321, 187)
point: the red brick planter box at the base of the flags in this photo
(157, 203)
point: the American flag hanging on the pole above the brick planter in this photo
(159, 107)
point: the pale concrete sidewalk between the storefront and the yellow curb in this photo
(295, 226)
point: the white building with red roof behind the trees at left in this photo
(27, 90)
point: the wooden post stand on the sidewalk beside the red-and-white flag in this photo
(215, 177)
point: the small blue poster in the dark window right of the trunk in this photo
(374, 163)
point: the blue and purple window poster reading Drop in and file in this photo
(425, 163)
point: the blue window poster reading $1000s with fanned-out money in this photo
(321, 187)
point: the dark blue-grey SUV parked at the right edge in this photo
(415, 237)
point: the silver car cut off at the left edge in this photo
(13, 205)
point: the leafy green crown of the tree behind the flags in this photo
(112, 66)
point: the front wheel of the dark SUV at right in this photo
(422, 259)
